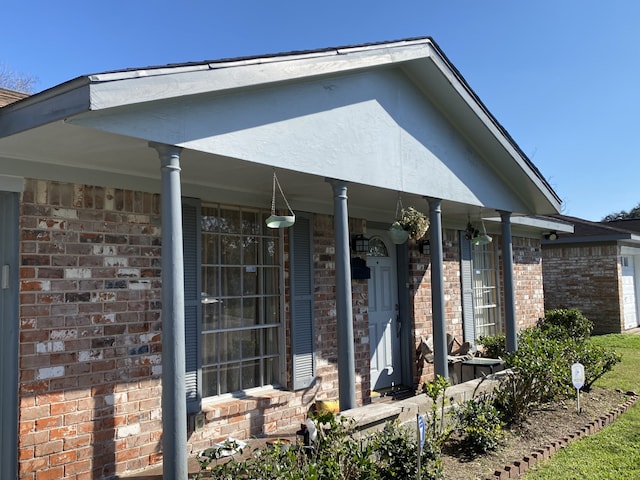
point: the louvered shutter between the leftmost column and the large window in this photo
(192, 302)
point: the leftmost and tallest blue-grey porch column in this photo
(174, 398)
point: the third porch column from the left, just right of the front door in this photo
(440, 362)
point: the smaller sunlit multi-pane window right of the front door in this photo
(486, 311)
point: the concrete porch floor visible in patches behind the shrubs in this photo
(368, 418)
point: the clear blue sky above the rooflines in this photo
(561, 76)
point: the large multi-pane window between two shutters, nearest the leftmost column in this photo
(241, 268)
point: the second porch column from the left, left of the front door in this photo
(344, 304)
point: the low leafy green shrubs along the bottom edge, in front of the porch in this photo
(340, 453)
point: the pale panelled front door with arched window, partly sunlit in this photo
(384, 321)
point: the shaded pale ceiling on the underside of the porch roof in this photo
(64, 152)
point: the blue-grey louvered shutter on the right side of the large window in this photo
(302, 290)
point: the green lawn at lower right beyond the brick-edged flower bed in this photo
(612, 453)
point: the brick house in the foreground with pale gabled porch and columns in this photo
(133, 233)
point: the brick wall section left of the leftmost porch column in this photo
(90, 345)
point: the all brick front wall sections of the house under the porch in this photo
(90, 333)
